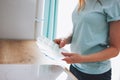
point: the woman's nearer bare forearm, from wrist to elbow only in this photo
(100, 56)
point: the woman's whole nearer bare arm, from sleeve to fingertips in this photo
(108, 53)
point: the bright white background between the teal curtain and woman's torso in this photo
(64, 24)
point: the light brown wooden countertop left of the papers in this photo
(21, 52)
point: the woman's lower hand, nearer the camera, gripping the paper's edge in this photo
(72, 58)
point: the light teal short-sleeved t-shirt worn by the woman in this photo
(91, 32)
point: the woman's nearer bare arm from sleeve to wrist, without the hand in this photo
(114, 48)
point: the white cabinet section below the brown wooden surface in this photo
(34, 72)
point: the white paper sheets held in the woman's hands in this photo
(50, 49)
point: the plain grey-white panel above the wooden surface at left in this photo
(17, 19)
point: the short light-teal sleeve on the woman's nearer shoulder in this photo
(113, 11)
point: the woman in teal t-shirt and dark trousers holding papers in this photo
(95, 39)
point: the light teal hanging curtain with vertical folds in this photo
(50, 16)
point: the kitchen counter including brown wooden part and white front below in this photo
(24, 60)
